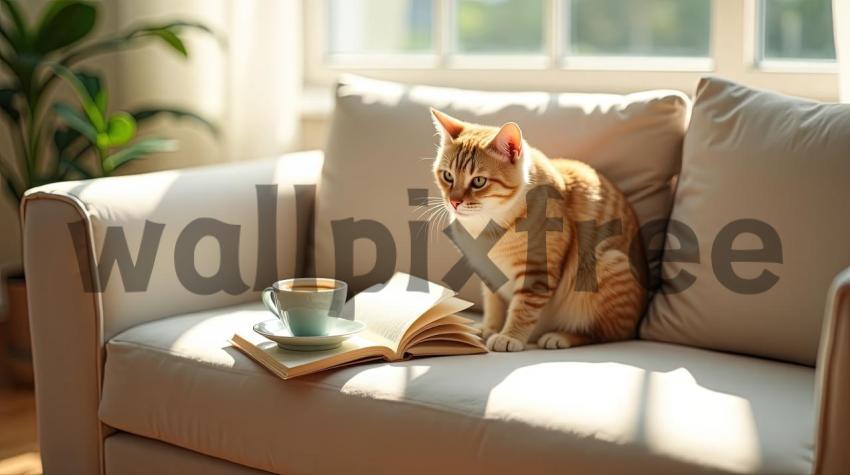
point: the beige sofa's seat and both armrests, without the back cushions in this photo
(140, 378)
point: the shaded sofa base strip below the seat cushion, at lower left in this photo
(131, 455)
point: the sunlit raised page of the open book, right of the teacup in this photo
(390, 309)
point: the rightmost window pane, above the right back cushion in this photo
(797, 29)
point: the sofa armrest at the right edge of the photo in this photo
(833, 382)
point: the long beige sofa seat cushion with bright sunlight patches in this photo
(603, 409)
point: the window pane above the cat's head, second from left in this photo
(499, 26)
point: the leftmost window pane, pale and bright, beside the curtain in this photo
(380, 26)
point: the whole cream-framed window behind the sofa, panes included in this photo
(578, 45)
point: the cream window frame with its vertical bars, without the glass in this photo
(734, 53)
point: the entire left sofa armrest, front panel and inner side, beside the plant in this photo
(107, 254)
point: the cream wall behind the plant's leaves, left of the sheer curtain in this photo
(157, 75)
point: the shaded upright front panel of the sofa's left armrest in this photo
(65, 331)
